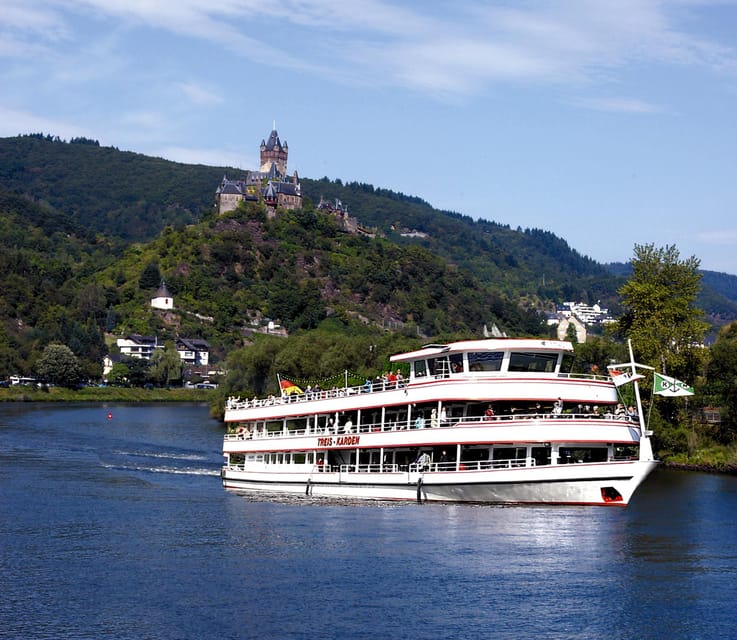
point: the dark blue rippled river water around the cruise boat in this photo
(114, 524)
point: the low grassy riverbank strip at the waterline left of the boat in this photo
(23, 393)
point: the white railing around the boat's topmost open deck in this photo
(235, 403)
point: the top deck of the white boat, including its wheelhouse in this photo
(485, 369)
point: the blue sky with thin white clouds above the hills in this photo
(607, 123)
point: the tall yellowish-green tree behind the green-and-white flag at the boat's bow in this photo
(661, 318)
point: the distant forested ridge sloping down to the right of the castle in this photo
(531, 260)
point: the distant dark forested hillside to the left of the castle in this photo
(117, 193)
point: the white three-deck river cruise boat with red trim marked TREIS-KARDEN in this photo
(487, 421)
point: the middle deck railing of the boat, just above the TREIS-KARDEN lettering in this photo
(244, 433)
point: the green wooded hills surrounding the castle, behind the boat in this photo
(87, 231)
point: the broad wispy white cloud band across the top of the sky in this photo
(429, 47)
